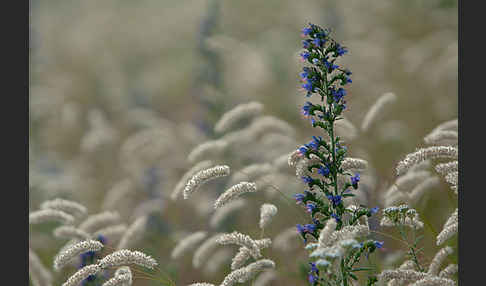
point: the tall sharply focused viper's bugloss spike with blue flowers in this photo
(323, 77)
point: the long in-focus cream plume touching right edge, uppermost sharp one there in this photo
(425, 153)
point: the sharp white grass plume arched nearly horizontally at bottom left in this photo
(125, 257)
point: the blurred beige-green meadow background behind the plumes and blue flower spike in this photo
(122, 91)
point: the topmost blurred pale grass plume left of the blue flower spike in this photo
(235, 115)
